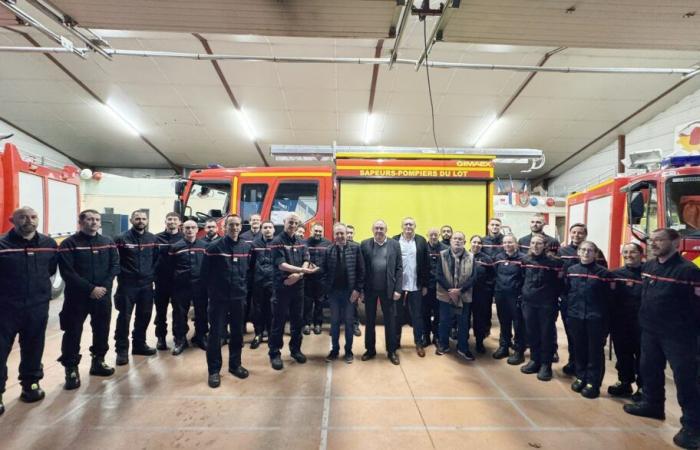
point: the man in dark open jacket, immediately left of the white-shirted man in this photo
(383, 282)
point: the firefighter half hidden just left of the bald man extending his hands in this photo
(262, 283)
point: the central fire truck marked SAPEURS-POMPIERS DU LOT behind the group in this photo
(357, 190)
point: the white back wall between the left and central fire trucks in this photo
(127, 194)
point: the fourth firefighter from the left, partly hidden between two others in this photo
(164, 277)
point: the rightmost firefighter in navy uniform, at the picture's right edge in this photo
(669, 317)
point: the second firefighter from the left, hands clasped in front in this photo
(88, 262)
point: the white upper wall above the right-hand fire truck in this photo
(656, 133)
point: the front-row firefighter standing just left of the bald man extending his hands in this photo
(226, 272)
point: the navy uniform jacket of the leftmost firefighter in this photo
(26, 267)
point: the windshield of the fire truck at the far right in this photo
(683, 210)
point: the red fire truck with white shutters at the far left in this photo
(53, 192)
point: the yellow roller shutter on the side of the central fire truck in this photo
(433, 204)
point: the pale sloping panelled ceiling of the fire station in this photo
(186, 117)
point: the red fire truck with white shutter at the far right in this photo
(628, 208)
